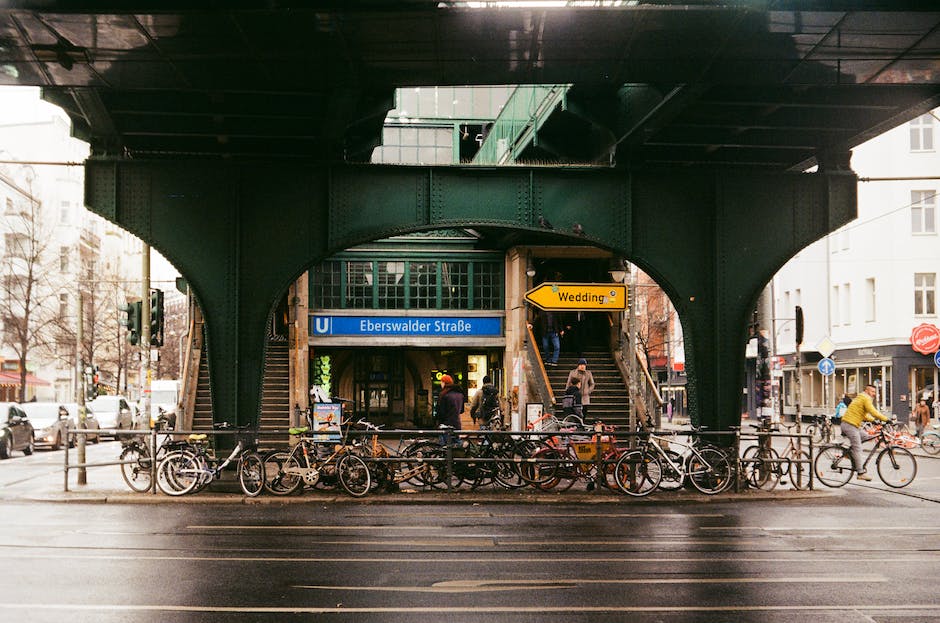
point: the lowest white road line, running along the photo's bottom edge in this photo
(892, 608)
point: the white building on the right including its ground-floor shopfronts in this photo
(864, 288)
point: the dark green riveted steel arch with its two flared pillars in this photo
(242, 232)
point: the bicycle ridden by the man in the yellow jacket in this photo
(896, 466)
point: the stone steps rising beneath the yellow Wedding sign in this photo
(610, 400)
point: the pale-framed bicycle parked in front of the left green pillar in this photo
(191, 469)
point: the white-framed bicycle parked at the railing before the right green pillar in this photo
(641, 471)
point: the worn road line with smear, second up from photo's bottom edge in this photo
(479, 586)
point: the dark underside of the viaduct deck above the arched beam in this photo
(694, 83)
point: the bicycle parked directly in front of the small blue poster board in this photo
(311, 462)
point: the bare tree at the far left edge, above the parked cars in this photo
(28, 297)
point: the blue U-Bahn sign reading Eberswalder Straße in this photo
(429, 326)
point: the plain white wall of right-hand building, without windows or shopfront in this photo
(878, 245)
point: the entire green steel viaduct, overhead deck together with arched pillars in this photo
(228, 138)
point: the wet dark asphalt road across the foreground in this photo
(859, 554)
